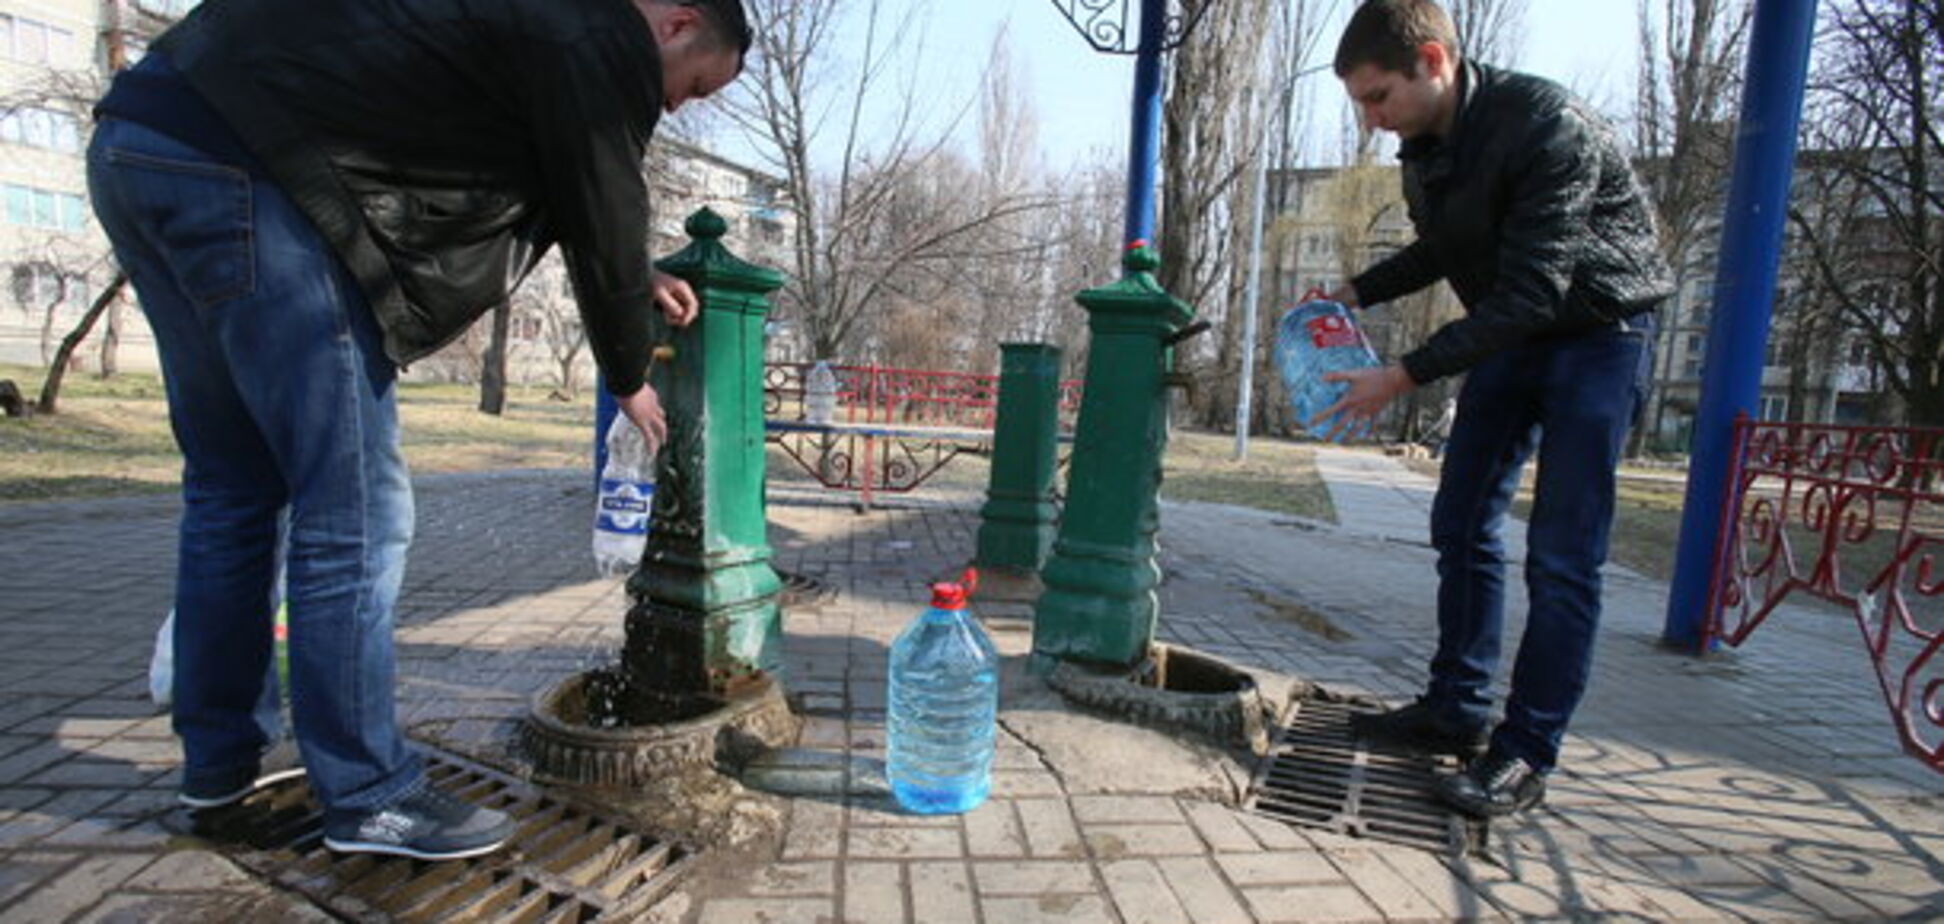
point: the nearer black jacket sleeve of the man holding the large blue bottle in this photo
(1541, 238)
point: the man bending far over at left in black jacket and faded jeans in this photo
(308, 195)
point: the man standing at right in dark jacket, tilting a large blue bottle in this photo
(1525, 203)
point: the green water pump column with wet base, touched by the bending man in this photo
(705, 618)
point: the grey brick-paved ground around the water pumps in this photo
(1753, 787)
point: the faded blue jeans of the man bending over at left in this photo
(281, 398)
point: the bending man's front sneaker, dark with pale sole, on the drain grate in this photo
(427, 826)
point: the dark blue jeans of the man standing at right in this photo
(1572, 400)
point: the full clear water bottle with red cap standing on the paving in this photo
(944, 705)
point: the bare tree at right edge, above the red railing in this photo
(1869, 207)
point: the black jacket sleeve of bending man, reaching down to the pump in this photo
(590, 159)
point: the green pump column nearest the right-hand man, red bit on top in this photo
(1099, 602)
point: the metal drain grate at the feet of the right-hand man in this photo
(1319, 775)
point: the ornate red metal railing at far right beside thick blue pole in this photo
(1852, 516)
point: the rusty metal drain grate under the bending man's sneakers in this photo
(565, 867)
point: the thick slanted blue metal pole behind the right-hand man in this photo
(1745, 285)
